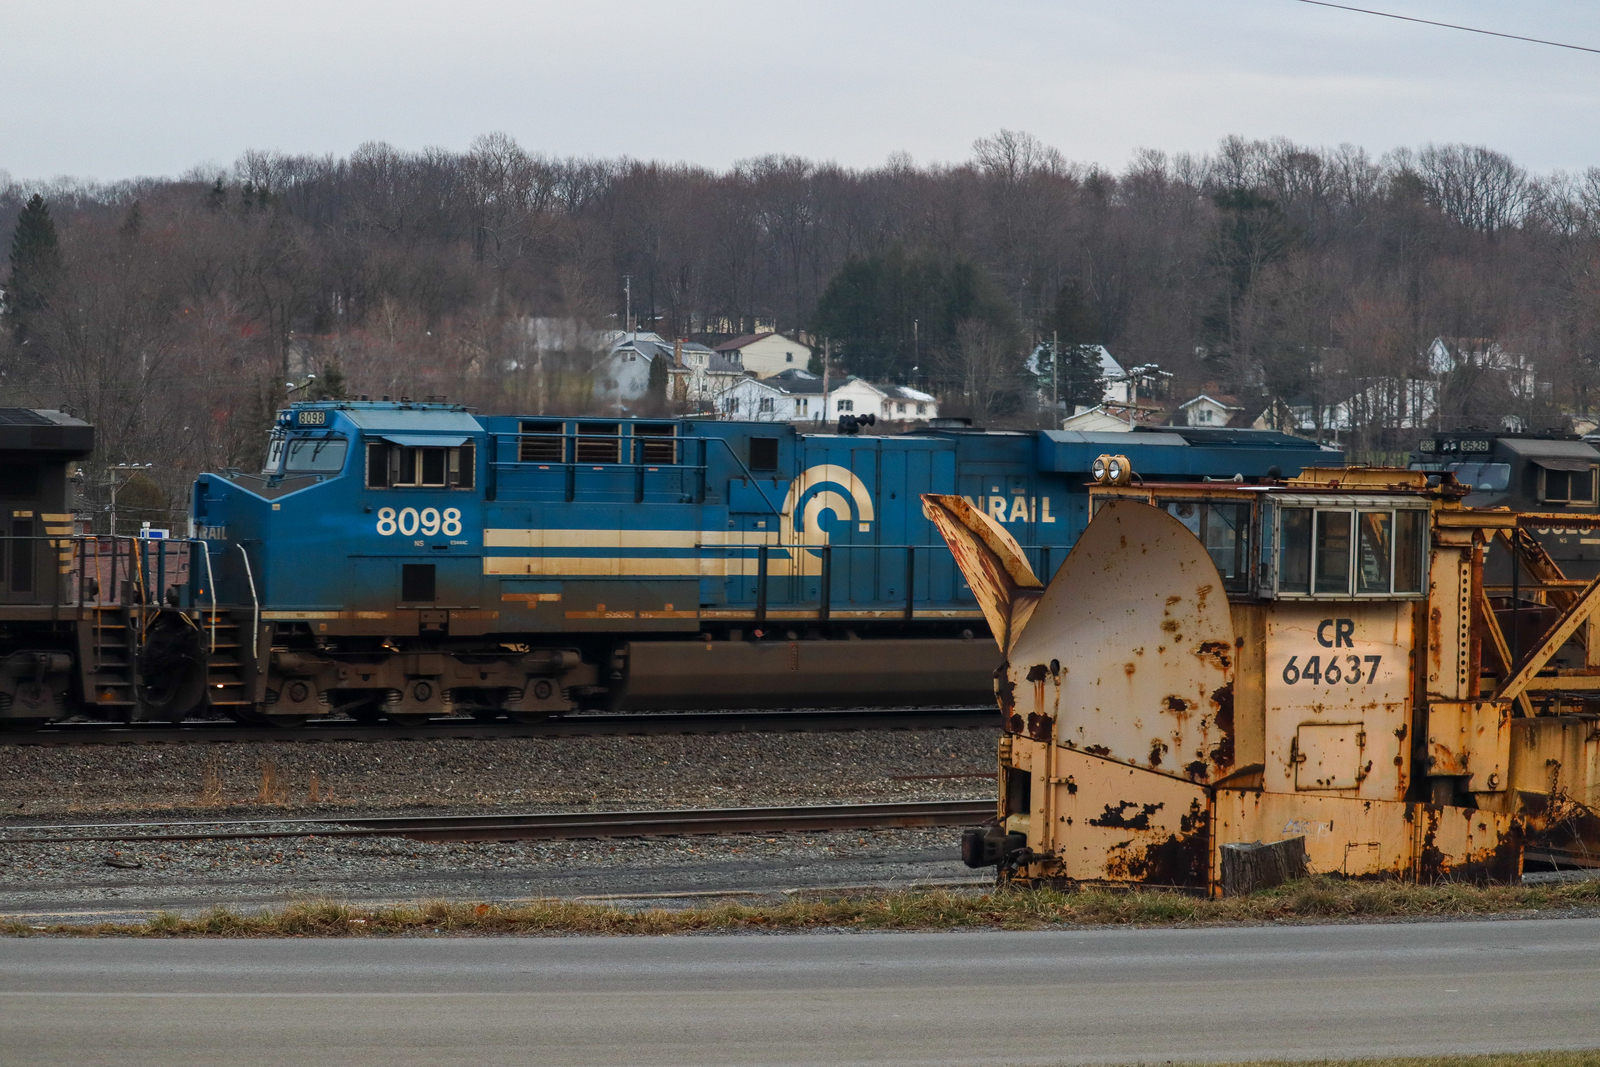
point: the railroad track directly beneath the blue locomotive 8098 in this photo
(586, 725)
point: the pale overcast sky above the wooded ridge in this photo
(122, 89)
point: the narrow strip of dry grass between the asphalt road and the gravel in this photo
(1313, 900)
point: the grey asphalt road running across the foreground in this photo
(820, 999)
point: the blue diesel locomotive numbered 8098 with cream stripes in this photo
(406, 561)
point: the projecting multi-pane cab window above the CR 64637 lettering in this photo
(1342, 553)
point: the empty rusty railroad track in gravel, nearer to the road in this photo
(534, 828)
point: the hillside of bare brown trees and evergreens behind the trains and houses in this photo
(172, 311)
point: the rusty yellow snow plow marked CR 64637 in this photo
(1311, 666)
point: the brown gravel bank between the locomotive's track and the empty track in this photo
(82, 783)
